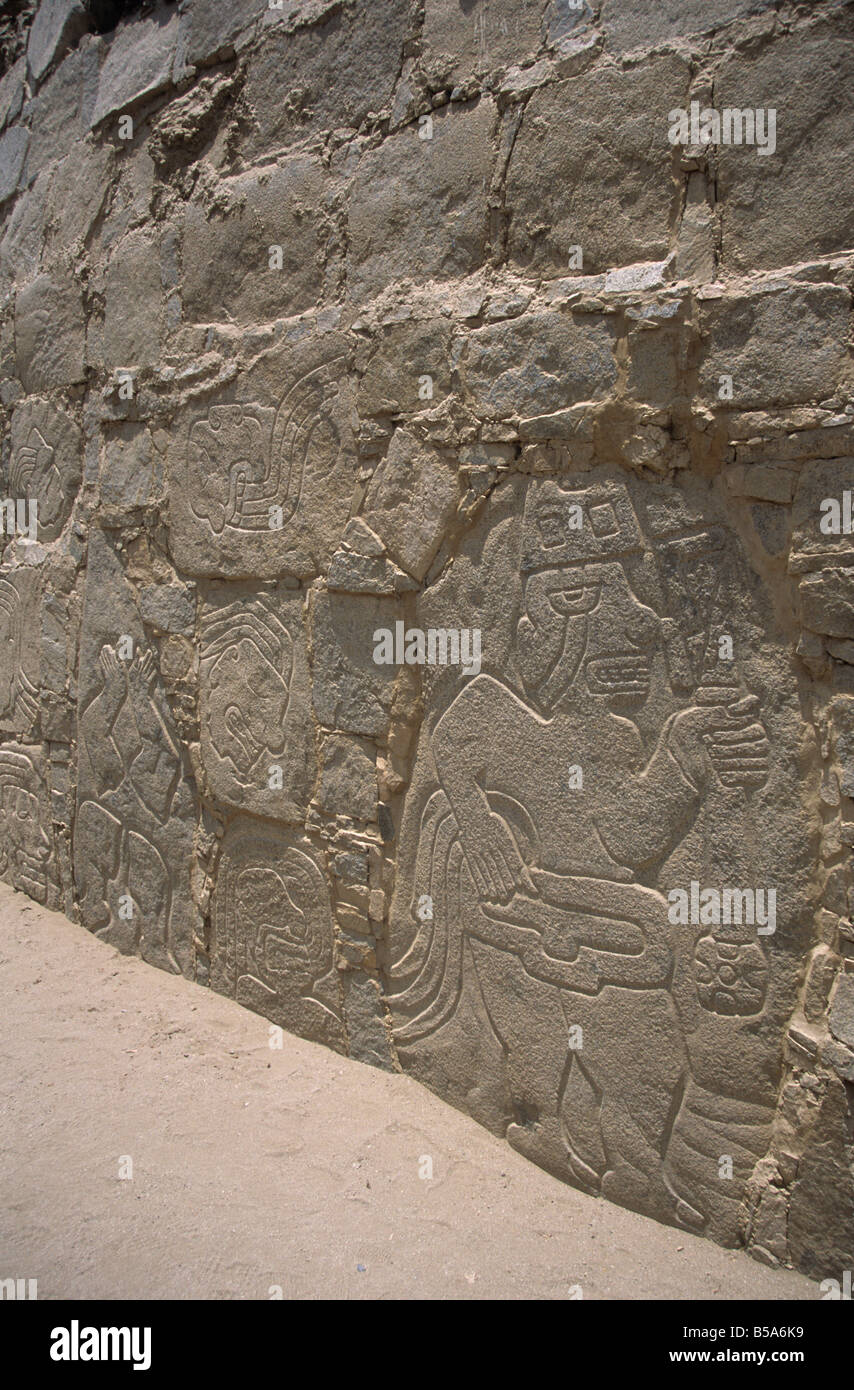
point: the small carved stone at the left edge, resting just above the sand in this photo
(24, 842)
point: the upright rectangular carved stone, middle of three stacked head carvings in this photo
(258, 744)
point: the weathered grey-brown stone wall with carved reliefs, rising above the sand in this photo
(341, 337)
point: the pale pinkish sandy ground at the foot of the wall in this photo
(258, 1168)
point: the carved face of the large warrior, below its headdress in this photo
(585, 629)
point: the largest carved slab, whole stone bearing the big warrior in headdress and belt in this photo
(635, 730)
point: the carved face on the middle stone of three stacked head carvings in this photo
(248, 705)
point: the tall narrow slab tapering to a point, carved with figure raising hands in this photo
(136, 807)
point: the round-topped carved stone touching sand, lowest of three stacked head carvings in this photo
(273, 932)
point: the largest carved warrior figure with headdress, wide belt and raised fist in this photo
(545, 881)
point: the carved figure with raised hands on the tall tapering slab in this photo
(122, 840)
